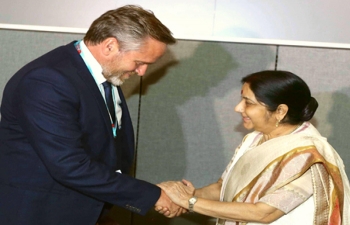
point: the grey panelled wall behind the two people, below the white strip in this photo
(184, 111)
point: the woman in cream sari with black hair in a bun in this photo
(284, 172)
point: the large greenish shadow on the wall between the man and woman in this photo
(165, 144)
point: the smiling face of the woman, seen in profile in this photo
(255, 114)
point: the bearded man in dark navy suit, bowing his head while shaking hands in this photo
(63, 152)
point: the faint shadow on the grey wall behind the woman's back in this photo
(339, 117)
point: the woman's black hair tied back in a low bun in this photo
(273, 88)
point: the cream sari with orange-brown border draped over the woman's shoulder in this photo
(256, 171)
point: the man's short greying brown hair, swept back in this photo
(130, 25)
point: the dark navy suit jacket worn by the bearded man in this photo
(57, 153)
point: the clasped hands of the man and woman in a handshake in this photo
(174, 197)
